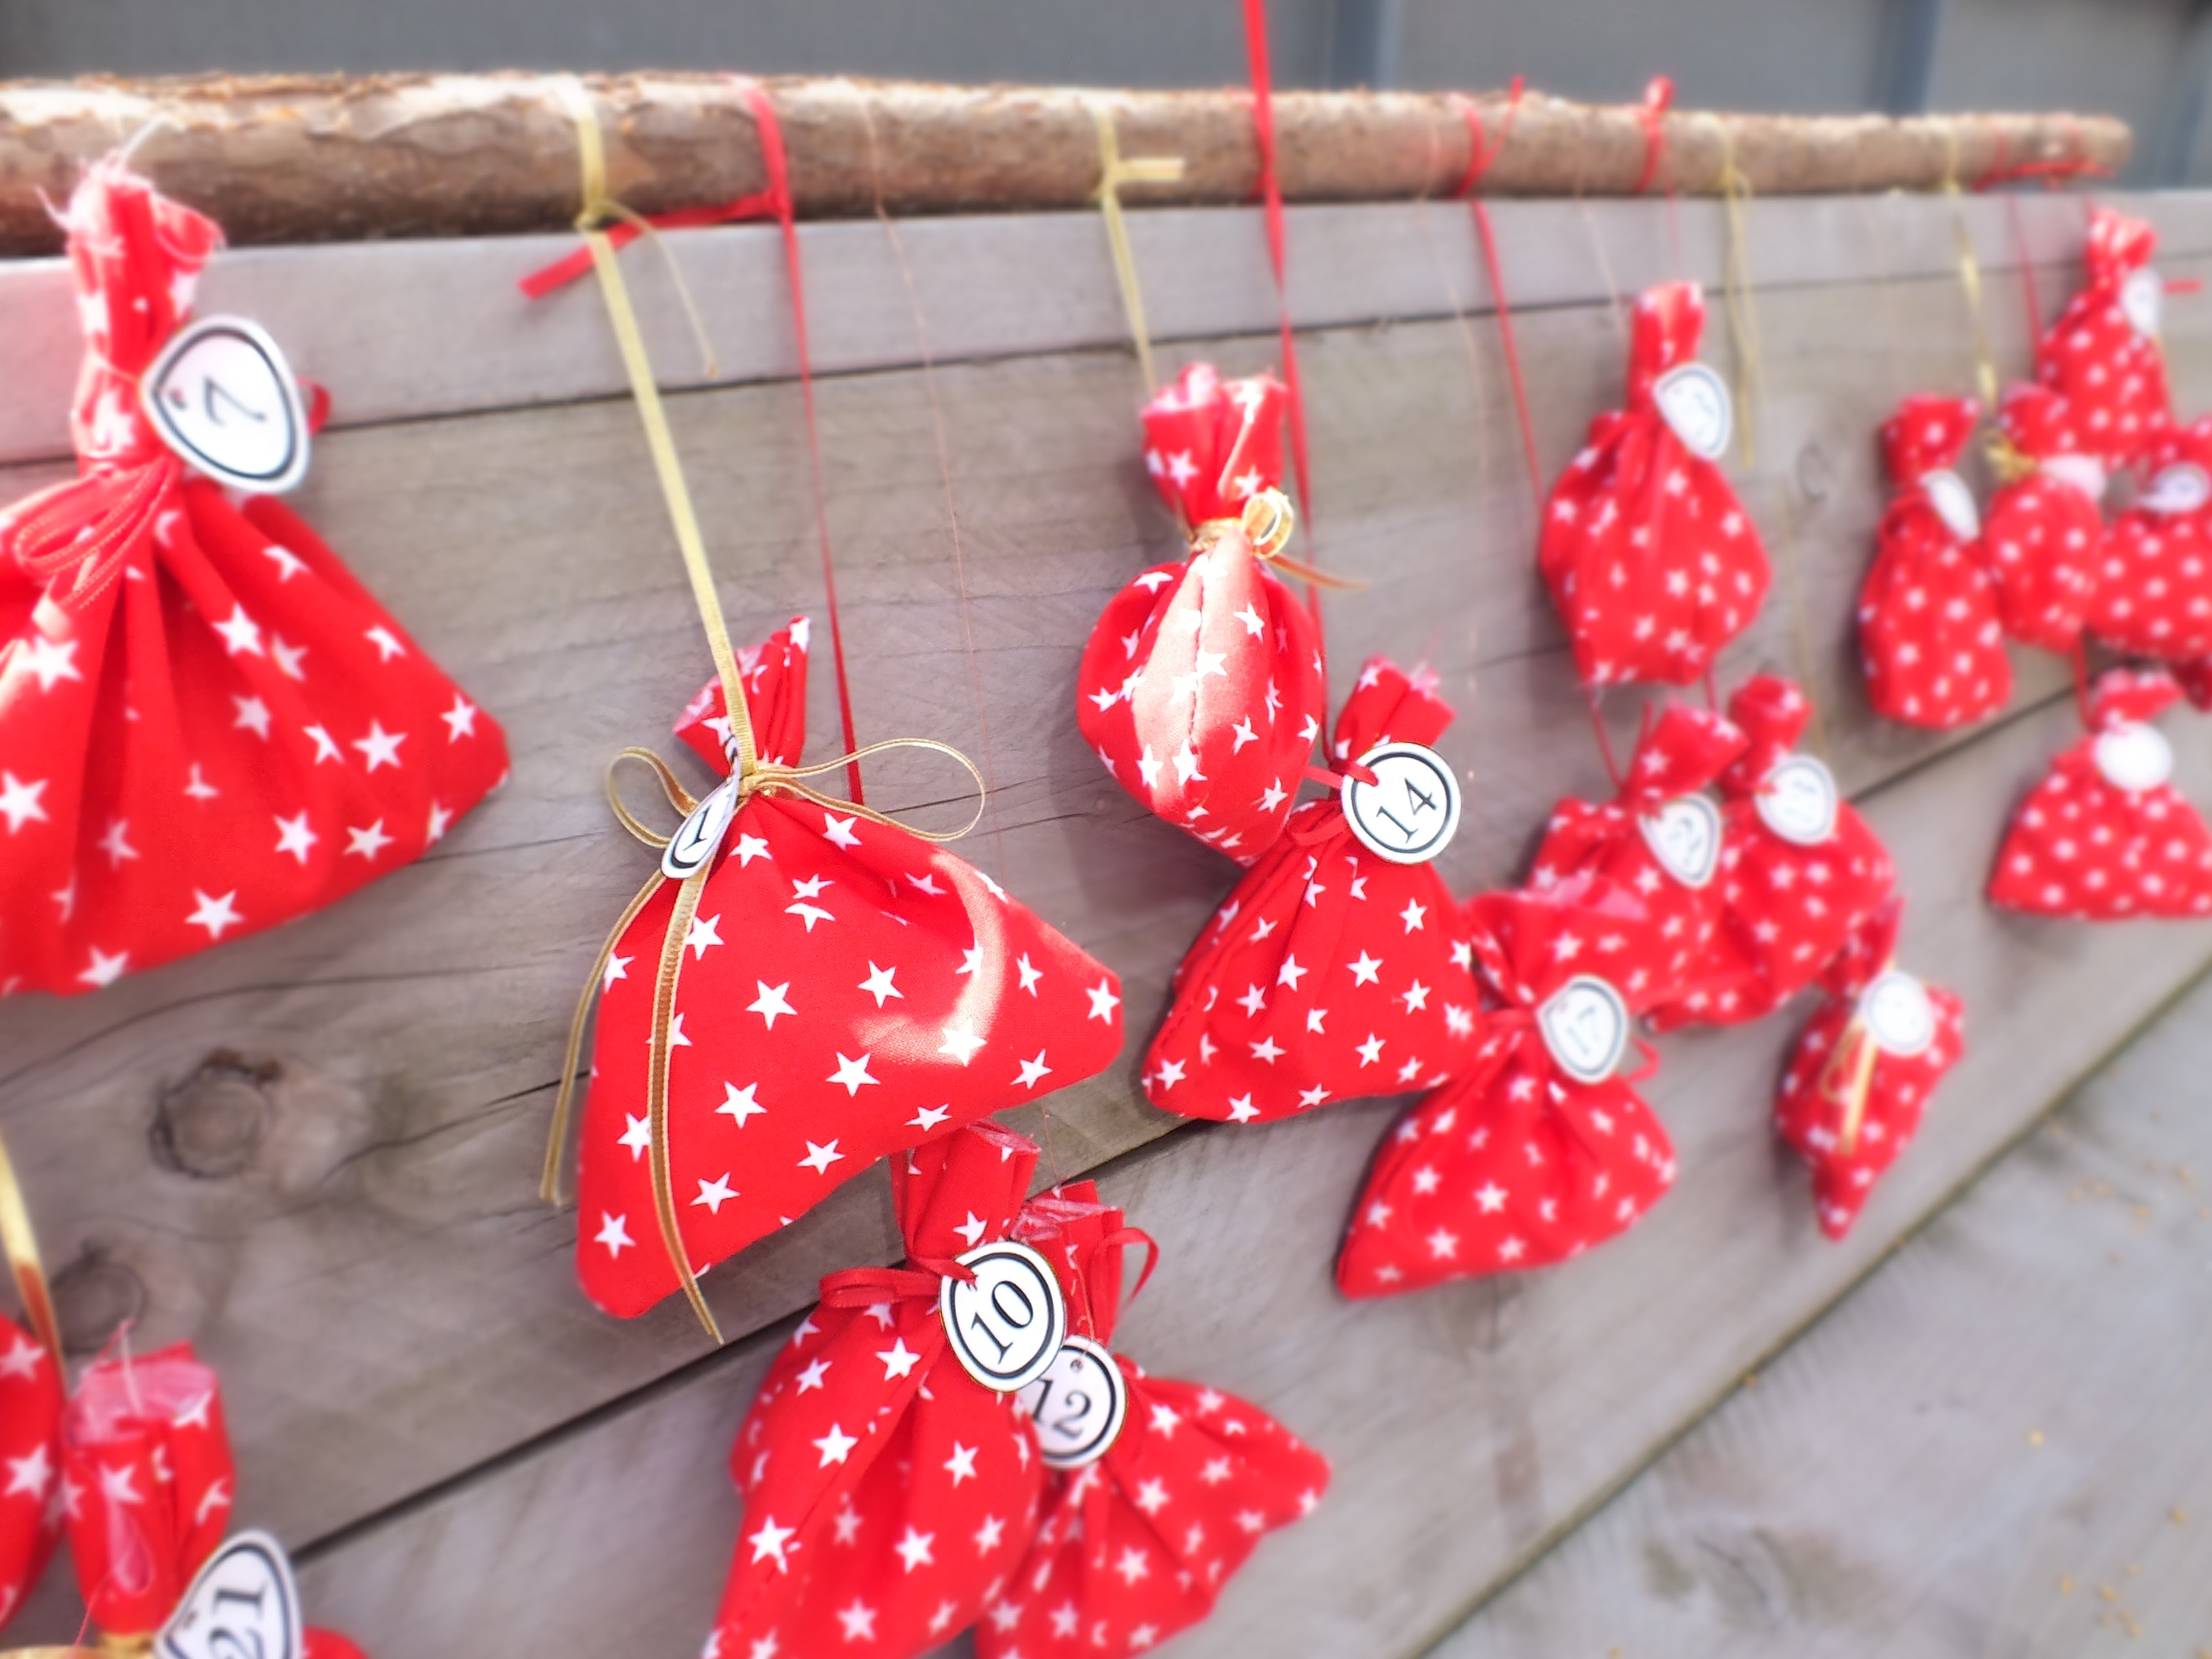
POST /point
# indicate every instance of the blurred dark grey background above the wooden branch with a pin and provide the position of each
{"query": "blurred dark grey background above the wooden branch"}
(2147, 61)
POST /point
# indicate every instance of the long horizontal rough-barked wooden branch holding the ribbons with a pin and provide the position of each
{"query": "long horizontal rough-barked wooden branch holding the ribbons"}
(446, 156)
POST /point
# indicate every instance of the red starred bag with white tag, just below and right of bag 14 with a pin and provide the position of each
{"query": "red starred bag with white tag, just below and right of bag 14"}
(1541, 1151)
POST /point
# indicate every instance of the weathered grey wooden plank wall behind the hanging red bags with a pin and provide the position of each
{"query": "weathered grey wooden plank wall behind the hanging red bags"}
(426, 1408)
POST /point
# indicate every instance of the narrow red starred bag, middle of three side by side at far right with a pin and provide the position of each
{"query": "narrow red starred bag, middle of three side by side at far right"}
(2045, 530)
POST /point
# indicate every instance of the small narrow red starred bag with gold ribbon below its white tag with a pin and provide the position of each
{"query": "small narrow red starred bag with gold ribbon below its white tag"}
(1864, 1070)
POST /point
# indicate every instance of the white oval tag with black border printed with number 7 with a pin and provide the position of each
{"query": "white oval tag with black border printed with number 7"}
(227, 401)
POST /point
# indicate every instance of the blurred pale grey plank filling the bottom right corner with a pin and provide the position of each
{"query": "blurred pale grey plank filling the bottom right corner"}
(1994, 1448)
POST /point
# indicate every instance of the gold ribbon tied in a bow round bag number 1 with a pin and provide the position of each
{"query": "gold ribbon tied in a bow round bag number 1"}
(749, 771)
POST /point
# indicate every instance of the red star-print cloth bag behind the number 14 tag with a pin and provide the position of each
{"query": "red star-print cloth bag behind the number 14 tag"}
(1331, 972)
